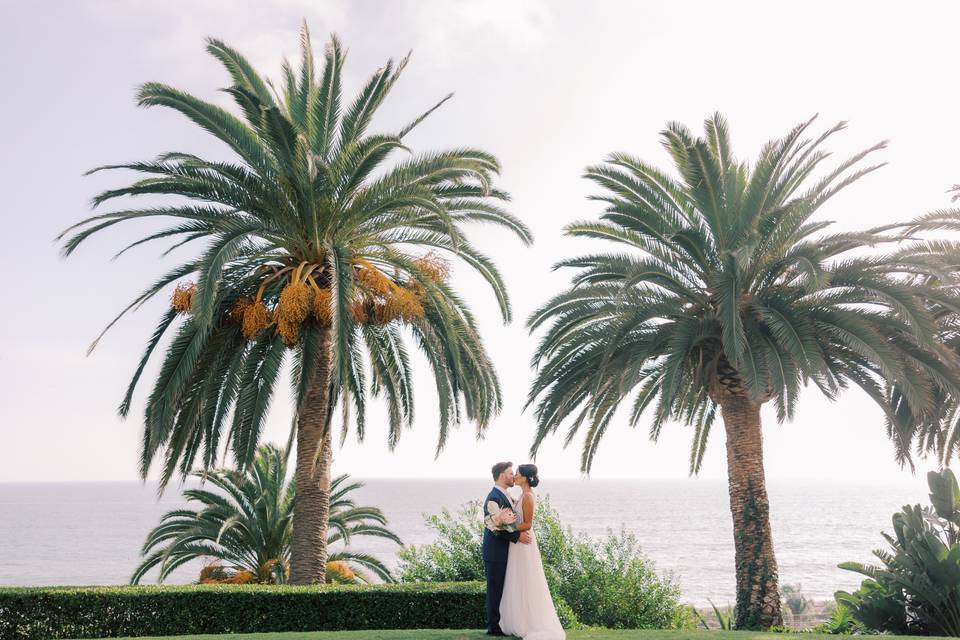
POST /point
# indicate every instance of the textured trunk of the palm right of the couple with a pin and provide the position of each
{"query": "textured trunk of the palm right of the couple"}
(758, 592)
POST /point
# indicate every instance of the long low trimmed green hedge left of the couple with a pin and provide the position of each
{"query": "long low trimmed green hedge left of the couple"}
(55, 613)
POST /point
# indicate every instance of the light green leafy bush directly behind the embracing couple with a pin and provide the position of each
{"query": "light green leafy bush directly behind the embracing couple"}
(607, 583)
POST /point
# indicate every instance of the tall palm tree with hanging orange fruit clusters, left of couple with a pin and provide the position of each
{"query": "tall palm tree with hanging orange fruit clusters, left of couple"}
(318, 244)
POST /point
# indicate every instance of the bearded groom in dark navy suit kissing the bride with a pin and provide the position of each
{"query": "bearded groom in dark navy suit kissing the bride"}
(496, 545)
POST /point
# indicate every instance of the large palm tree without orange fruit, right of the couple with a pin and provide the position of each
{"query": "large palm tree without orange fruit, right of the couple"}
(724, 295)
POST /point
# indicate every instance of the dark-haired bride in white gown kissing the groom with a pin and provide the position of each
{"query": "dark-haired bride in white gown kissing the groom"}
(526, 609)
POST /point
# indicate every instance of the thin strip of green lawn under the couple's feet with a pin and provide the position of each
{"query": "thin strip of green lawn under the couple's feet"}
(440, 634)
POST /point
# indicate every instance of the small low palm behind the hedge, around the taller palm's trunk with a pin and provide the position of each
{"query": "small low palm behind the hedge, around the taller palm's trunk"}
(246, 528)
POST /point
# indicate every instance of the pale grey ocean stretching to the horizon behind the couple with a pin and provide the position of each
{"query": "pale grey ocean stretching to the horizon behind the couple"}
(91, 533)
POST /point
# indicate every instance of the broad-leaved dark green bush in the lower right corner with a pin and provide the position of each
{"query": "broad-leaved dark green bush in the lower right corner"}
(916, 590)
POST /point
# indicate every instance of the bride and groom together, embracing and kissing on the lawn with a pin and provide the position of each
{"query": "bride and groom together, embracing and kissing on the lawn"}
(518, 599)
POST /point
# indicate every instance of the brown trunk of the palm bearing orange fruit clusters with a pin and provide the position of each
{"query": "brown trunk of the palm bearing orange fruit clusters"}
(311, 503)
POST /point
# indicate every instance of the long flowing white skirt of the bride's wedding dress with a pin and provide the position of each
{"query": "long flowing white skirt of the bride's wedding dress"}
(526, 609)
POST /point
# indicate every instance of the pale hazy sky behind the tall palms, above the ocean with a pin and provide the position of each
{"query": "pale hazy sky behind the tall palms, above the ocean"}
(548, 87)
